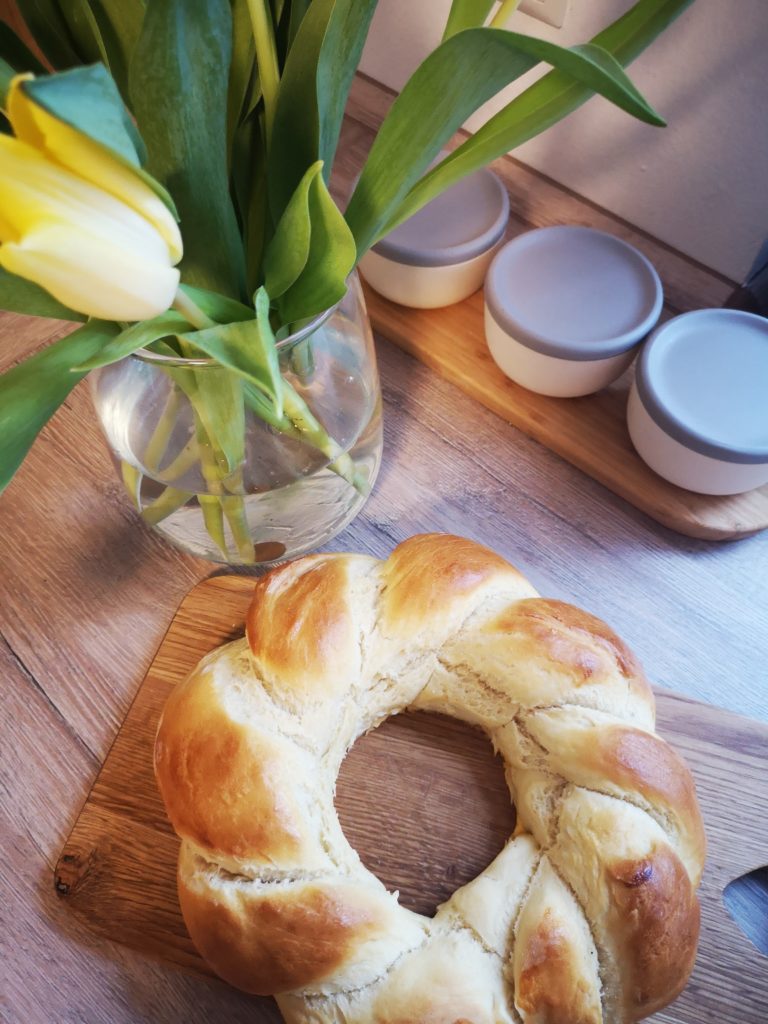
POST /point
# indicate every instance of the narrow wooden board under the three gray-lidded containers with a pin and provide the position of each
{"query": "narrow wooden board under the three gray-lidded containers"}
(590, 433)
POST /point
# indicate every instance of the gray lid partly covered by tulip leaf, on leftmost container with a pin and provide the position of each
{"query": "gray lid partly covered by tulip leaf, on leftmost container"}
(465, 222)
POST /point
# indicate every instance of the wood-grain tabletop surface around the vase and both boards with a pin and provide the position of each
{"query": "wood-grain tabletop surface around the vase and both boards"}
(88, 592)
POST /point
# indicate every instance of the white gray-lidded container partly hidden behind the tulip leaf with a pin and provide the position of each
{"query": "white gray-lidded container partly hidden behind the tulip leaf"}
(441, 255)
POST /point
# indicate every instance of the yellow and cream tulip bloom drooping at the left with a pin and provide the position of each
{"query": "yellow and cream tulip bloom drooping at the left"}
(79, 223)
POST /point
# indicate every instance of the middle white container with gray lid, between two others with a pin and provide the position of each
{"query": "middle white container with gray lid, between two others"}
(567, 309)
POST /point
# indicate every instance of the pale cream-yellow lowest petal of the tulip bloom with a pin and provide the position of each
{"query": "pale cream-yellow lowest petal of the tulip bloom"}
(93, 276)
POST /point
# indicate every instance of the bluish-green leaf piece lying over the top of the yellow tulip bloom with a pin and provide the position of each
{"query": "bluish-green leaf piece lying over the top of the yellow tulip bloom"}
(89, 101)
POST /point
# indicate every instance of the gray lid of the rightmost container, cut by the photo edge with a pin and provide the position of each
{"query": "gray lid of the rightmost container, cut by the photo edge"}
(703, 377)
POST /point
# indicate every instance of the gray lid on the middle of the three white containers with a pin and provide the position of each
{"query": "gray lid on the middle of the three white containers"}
(574, 293)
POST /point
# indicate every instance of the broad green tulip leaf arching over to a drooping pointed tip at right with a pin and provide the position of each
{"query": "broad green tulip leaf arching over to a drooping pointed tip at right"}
(454, 81)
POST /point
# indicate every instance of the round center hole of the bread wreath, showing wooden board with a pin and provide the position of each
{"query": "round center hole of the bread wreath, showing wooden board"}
(423, 800)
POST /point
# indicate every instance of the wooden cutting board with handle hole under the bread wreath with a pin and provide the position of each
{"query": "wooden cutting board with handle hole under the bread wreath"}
(424, 802)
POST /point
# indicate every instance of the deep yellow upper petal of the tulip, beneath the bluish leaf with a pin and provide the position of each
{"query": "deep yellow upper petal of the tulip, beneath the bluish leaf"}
(90, 161)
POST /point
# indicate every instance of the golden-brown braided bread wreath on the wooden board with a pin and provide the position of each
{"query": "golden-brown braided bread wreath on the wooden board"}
(588, 915)
